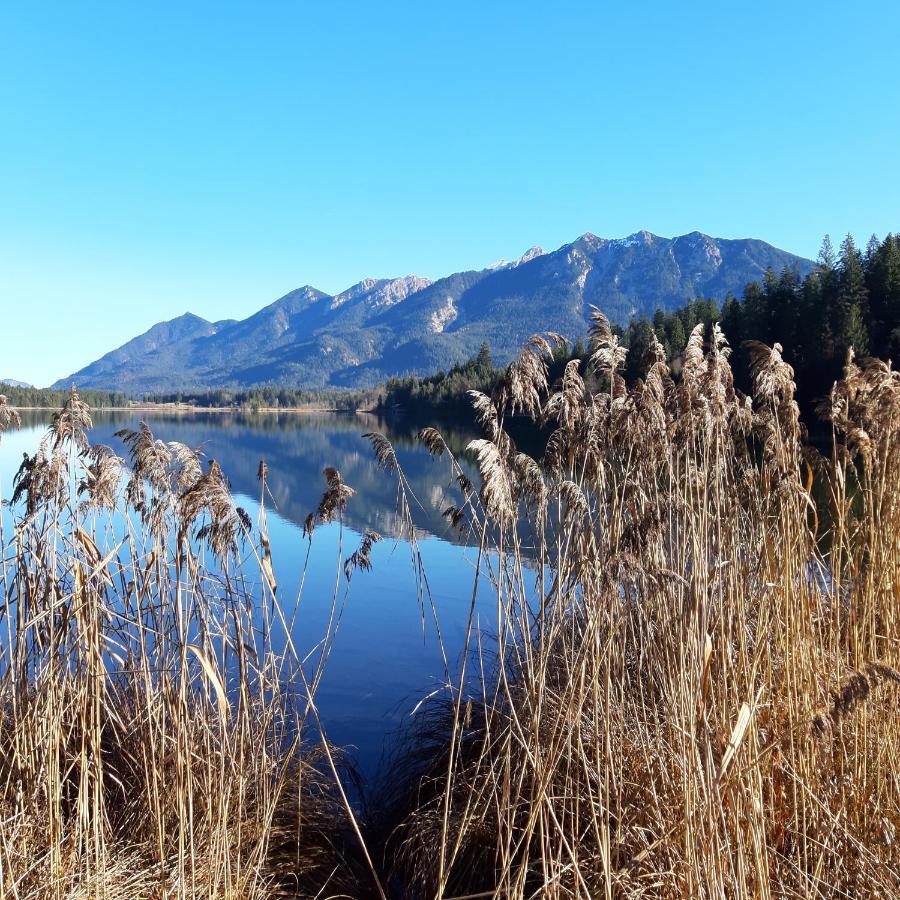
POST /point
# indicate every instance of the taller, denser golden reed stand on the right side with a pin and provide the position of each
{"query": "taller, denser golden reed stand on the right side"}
(696, 695)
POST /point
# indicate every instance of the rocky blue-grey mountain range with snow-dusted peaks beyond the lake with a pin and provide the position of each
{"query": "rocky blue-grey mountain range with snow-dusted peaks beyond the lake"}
(383, 327)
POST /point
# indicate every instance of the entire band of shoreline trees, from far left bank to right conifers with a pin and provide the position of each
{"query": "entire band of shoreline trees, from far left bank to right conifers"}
(851, 299)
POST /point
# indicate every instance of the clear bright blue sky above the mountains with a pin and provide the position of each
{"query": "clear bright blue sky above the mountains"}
(163, 157)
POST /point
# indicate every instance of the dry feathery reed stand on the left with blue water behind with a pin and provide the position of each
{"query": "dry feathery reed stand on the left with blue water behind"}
(148, 745)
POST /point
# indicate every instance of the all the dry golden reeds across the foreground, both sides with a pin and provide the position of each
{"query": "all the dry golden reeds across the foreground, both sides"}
(699, 699)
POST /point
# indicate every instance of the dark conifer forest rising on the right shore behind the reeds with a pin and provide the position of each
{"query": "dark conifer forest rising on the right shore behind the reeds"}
(852, 299)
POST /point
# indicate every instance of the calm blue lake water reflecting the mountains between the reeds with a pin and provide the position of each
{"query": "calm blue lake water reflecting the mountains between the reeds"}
(382, 662)
